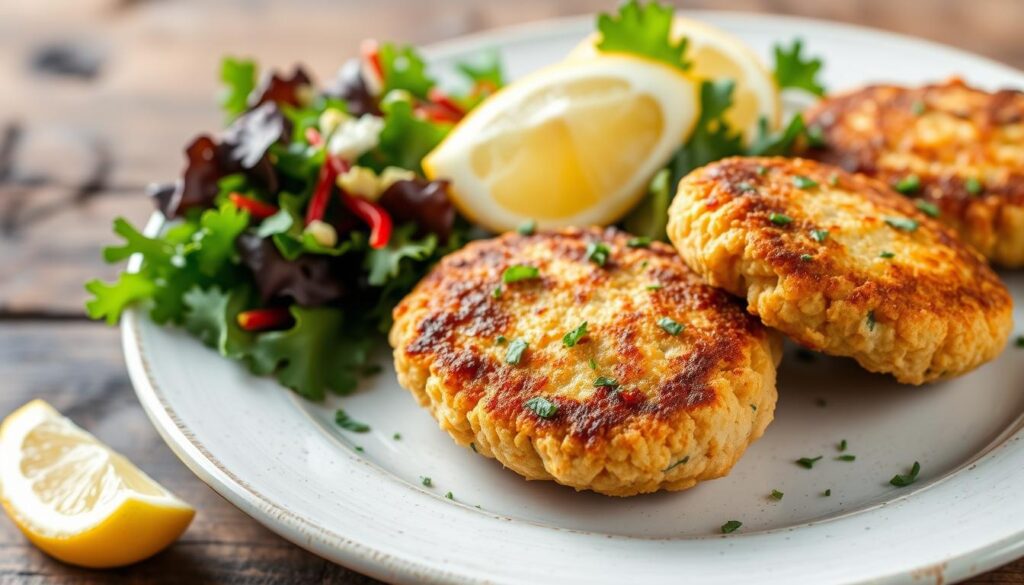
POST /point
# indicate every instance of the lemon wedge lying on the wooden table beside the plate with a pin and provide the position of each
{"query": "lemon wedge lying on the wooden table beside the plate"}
(78, 500)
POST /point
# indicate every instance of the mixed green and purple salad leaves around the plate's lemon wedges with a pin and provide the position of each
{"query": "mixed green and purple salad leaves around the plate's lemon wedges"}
(293, 234)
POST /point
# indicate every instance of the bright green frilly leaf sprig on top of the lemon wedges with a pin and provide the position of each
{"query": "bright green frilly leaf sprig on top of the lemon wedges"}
(645, 30)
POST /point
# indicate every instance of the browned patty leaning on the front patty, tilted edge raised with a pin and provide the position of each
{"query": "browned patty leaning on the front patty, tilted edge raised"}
(843, 265)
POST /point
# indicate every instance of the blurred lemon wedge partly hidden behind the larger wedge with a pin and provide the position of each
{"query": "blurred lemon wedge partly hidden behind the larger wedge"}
(716, 55)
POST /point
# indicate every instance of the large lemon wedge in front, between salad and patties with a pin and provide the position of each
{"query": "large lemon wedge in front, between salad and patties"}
(572, 145)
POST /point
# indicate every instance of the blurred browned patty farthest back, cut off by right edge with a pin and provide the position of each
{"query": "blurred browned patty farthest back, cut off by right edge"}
(959, 149)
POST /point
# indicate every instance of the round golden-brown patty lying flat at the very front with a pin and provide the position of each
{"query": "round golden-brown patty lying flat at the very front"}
(666, 386)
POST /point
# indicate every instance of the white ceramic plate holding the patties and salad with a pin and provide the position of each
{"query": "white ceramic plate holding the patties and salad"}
(283, 462)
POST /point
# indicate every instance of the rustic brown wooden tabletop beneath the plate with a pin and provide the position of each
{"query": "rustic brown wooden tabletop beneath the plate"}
(129, 82)
